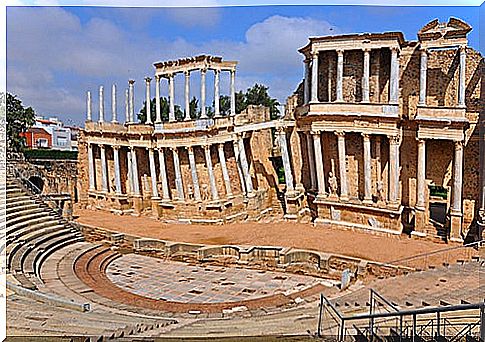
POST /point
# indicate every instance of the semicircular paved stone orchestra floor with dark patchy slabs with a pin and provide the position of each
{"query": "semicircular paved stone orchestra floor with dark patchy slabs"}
(179, 282)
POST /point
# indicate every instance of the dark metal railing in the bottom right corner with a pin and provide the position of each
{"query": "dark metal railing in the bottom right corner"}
(454, 322)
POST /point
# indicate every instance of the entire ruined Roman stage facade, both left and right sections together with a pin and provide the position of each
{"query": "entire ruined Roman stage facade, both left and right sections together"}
(383, 134)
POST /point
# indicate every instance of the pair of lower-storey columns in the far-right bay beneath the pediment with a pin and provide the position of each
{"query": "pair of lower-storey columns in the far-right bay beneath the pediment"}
(456, 204)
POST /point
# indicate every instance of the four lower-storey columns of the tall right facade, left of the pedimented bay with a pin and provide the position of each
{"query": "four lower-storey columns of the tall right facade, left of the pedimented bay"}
(317, 174)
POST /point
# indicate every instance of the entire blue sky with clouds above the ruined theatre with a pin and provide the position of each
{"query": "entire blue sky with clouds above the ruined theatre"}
(55, 54)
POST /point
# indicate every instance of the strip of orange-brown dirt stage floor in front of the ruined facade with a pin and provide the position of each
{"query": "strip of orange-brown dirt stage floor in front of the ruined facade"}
(322, 238)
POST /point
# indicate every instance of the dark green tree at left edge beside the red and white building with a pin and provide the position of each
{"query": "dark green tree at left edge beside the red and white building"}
(19, 119)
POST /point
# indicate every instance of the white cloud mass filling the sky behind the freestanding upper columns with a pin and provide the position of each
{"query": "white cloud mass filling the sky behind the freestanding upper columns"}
(53, 57)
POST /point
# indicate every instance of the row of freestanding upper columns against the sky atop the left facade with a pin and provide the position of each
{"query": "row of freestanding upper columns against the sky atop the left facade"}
(129, 98)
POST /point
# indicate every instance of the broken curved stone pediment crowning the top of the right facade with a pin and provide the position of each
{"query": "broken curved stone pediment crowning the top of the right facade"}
(436, 34)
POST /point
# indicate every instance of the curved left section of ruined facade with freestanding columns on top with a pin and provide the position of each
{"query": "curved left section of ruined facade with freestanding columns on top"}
(207, 169)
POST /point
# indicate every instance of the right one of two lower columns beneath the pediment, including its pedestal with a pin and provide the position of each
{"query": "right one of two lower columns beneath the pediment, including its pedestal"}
(456, 212)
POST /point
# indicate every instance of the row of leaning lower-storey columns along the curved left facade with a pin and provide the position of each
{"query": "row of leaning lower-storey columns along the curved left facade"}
(134, 188)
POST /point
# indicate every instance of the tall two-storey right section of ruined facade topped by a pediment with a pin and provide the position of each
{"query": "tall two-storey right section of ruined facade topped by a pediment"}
(389, 131)
